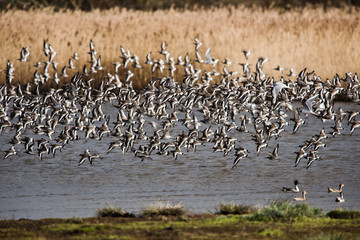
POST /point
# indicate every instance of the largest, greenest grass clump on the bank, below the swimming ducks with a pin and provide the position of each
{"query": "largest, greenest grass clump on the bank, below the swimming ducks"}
(284, 211)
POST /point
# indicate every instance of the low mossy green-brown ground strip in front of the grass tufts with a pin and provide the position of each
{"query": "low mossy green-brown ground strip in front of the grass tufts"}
(204, 226)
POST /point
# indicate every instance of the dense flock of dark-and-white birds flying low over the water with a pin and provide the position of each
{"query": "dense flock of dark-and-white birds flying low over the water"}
(212, 104)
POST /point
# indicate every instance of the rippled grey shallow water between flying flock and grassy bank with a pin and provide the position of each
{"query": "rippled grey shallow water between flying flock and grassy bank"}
(57, 187)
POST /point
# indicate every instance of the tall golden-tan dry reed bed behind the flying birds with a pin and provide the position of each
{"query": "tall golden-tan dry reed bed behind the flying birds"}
(327, 42)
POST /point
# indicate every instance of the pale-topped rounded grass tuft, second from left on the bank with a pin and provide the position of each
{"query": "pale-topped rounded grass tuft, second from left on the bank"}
(164, 209)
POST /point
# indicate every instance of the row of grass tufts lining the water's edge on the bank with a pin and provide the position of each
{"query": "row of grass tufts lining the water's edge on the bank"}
(277, 211)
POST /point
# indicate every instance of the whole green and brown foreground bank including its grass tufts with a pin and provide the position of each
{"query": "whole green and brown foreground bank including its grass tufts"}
(299, 219)
